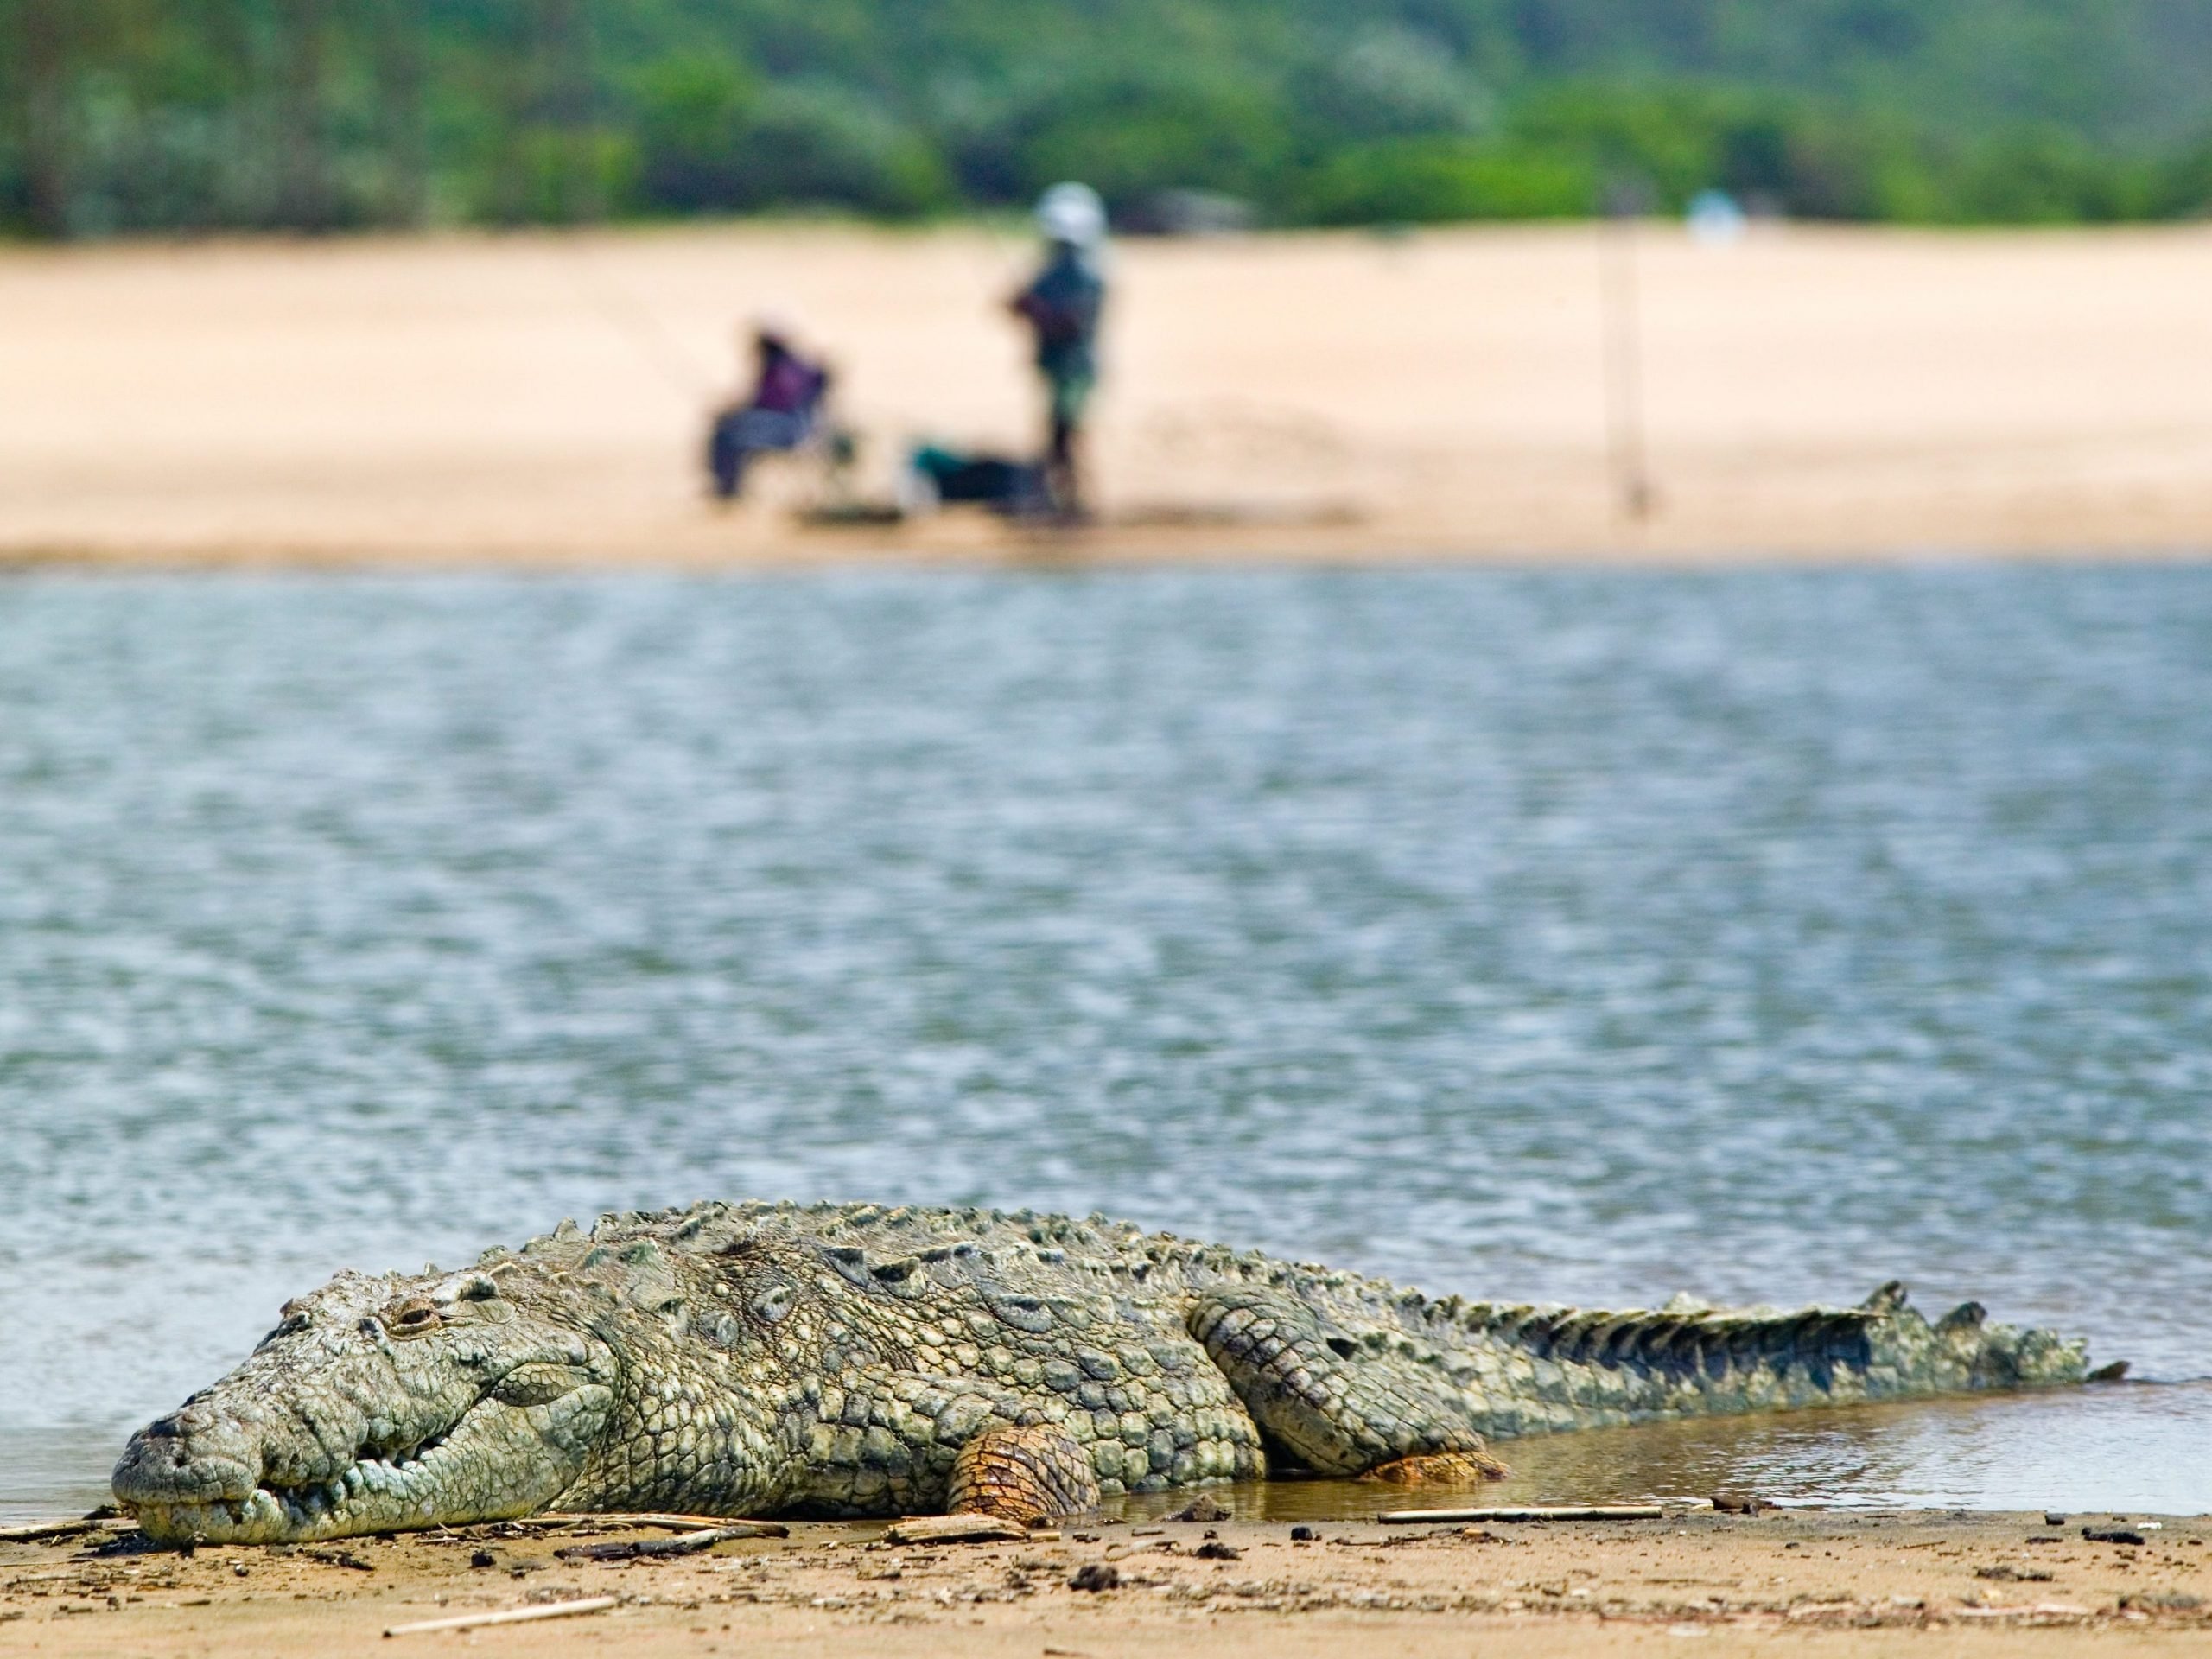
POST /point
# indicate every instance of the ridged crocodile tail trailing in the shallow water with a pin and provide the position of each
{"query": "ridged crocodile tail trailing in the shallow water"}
(1545, 1368)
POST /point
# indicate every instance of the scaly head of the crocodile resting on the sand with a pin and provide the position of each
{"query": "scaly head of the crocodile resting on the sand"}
(382, 1404)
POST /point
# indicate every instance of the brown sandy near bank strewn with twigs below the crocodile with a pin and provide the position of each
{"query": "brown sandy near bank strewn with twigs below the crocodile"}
(1815, 1583)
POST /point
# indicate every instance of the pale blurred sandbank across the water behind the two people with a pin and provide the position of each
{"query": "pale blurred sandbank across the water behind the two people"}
(536, 399)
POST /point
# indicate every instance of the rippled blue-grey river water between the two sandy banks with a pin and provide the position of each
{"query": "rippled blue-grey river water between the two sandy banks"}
(1550, 937)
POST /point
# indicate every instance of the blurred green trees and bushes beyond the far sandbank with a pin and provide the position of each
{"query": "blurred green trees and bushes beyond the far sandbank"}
(326, 114)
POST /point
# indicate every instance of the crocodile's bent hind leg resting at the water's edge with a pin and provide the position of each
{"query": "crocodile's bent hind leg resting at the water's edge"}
(1333, 1401)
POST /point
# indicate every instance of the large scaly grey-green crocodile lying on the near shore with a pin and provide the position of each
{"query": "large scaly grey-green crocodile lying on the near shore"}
(846, 1361)
